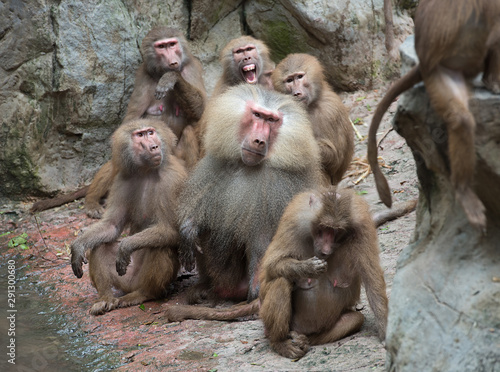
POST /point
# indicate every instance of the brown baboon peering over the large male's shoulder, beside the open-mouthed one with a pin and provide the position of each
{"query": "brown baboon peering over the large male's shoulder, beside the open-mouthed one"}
(301, 75)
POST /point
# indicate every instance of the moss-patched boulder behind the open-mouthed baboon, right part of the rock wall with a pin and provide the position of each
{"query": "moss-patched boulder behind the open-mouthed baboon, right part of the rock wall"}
(346, 36)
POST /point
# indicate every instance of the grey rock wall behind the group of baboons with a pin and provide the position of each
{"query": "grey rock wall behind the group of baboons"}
(67, 68)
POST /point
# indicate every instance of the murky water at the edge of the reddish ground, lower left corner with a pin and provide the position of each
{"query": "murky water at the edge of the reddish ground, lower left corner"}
(39, 337)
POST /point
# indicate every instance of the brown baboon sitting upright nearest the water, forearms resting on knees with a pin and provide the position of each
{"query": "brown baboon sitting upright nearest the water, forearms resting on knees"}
(143, 198)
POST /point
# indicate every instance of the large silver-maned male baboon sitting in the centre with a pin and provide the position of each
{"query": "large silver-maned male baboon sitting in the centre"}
(260, 152)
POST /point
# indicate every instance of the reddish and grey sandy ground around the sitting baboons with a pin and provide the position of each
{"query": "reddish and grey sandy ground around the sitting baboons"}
(139, 337)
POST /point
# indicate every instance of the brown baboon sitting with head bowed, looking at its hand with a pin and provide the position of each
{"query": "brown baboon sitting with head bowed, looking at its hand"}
(324, 249)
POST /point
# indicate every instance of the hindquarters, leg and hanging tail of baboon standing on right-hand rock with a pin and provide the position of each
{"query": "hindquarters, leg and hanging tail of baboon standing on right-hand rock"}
(455, 40)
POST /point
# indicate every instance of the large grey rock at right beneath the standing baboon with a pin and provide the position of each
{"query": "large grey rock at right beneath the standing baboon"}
(444, 308)
